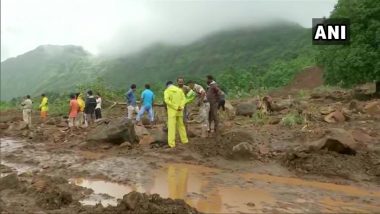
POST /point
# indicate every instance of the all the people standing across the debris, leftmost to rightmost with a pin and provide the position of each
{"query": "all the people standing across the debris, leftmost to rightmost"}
(177, 97)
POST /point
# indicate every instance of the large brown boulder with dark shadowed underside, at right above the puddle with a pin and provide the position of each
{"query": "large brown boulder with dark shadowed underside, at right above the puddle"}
(338, 140)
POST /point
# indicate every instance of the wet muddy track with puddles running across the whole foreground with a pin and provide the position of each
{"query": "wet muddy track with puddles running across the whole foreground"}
(208, 189)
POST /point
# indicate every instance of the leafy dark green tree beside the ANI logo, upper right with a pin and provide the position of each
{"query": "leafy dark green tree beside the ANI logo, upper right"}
(358, 62)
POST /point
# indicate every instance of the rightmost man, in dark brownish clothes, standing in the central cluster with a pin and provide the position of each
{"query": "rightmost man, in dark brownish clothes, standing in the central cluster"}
(213, 97)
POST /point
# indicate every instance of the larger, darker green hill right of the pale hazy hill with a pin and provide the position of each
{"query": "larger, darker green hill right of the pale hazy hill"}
(240, 48)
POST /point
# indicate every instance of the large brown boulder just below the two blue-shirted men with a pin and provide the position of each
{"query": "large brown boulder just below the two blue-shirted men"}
(117, 132)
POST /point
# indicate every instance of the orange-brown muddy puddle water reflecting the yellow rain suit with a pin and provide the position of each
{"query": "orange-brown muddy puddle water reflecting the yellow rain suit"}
(214, 191)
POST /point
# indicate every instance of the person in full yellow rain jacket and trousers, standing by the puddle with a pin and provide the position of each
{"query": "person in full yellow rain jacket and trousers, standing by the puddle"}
(175, 101)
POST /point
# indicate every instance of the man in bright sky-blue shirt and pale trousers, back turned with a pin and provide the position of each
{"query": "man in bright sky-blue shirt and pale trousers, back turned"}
(147, 100)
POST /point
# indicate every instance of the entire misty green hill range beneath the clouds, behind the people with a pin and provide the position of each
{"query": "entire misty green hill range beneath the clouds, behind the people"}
(59, 68)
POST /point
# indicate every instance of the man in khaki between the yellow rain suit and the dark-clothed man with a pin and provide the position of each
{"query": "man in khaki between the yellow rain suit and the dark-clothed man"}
(203, 104)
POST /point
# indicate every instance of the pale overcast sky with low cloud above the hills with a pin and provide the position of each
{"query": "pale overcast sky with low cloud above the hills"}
(120, 26)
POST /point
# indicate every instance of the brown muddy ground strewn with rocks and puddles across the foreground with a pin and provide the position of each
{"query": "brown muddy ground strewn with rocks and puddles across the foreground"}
(258, 164)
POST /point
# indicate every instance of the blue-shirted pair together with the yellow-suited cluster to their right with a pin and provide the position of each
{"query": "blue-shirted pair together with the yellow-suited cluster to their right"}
(176, 99)
